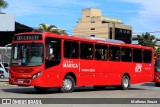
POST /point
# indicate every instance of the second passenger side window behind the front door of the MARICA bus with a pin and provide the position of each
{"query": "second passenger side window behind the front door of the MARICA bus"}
(86, 51)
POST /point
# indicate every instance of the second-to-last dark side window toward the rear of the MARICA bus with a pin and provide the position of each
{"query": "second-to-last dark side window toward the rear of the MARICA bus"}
(137, 55)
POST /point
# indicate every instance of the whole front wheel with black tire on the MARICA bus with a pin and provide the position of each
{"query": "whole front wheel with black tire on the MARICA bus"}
(68, 84)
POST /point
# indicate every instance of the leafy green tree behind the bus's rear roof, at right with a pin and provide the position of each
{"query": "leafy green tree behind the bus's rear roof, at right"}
(147, 40)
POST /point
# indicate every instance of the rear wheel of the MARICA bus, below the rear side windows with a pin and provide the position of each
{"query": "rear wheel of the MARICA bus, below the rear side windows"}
(125, 83)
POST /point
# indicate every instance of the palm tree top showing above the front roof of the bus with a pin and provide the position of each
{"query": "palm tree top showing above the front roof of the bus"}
(50, 28)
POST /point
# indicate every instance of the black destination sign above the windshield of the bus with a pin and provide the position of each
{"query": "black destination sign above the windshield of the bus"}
(28, 37)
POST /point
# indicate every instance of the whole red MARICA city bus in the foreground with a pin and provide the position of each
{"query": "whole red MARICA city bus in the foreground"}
(46, 60)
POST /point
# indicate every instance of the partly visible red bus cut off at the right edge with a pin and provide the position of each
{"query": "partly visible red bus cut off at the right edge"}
(157, 71)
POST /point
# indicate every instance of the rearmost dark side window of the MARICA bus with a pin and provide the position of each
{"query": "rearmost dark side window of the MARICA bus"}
(147, 56)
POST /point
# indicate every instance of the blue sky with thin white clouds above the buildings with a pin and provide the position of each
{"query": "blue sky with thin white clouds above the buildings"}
(142, 15)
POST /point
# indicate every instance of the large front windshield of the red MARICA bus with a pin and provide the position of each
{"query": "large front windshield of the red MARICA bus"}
(29, 54)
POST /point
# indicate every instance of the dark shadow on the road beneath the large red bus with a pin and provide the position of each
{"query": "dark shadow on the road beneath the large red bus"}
(55, 90)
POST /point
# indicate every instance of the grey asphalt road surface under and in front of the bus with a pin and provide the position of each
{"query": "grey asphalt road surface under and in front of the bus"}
(146, 90)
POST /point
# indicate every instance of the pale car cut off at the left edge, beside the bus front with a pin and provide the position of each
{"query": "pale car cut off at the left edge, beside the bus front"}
(4, 69)
